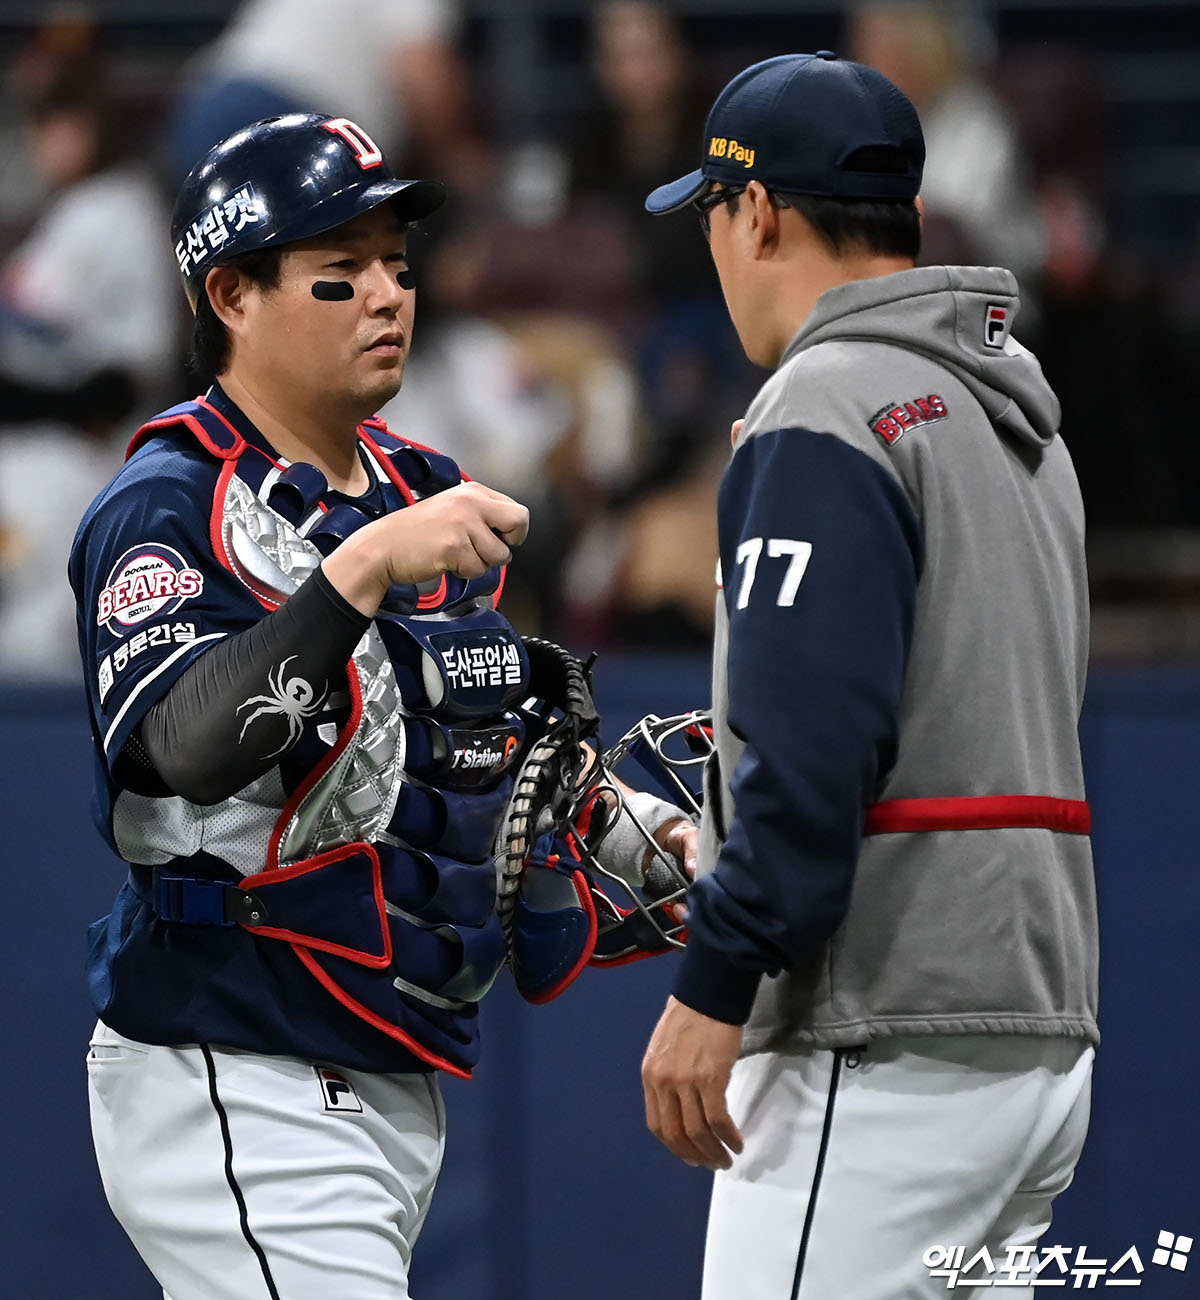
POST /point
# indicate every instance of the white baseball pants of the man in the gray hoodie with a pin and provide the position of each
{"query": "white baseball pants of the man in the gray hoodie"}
(857, 1164)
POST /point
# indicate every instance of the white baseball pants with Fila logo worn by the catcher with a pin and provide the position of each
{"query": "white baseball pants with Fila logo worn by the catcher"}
(244, 1177)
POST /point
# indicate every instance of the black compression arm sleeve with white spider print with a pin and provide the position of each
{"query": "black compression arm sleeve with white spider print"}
(210, 736)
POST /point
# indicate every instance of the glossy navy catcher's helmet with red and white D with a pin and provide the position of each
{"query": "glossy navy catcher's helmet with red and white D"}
(283, 180)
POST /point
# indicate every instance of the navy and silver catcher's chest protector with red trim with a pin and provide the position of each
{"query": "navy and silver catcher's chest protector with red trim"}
(378, 872)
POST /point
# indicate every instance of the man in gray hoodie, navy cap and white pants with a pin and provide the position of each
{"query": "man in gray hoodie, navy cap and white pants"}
(883, 1028)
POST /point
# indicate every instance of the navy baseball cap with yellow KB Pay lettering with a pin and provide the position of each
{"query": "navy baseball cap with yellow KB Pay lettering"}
(795, 123)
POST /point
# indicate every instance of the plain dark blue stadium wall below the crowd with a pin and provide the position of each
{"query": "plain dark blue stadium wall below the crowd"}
(552, 1186)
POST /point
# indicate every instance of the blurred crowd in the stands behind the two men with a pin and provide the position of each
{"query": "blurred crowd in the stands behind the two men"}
(570, 350)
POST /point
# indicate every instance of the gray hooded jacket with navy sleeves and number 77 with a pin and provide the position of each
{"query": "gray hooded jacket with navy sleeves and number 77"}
(968, 686)
